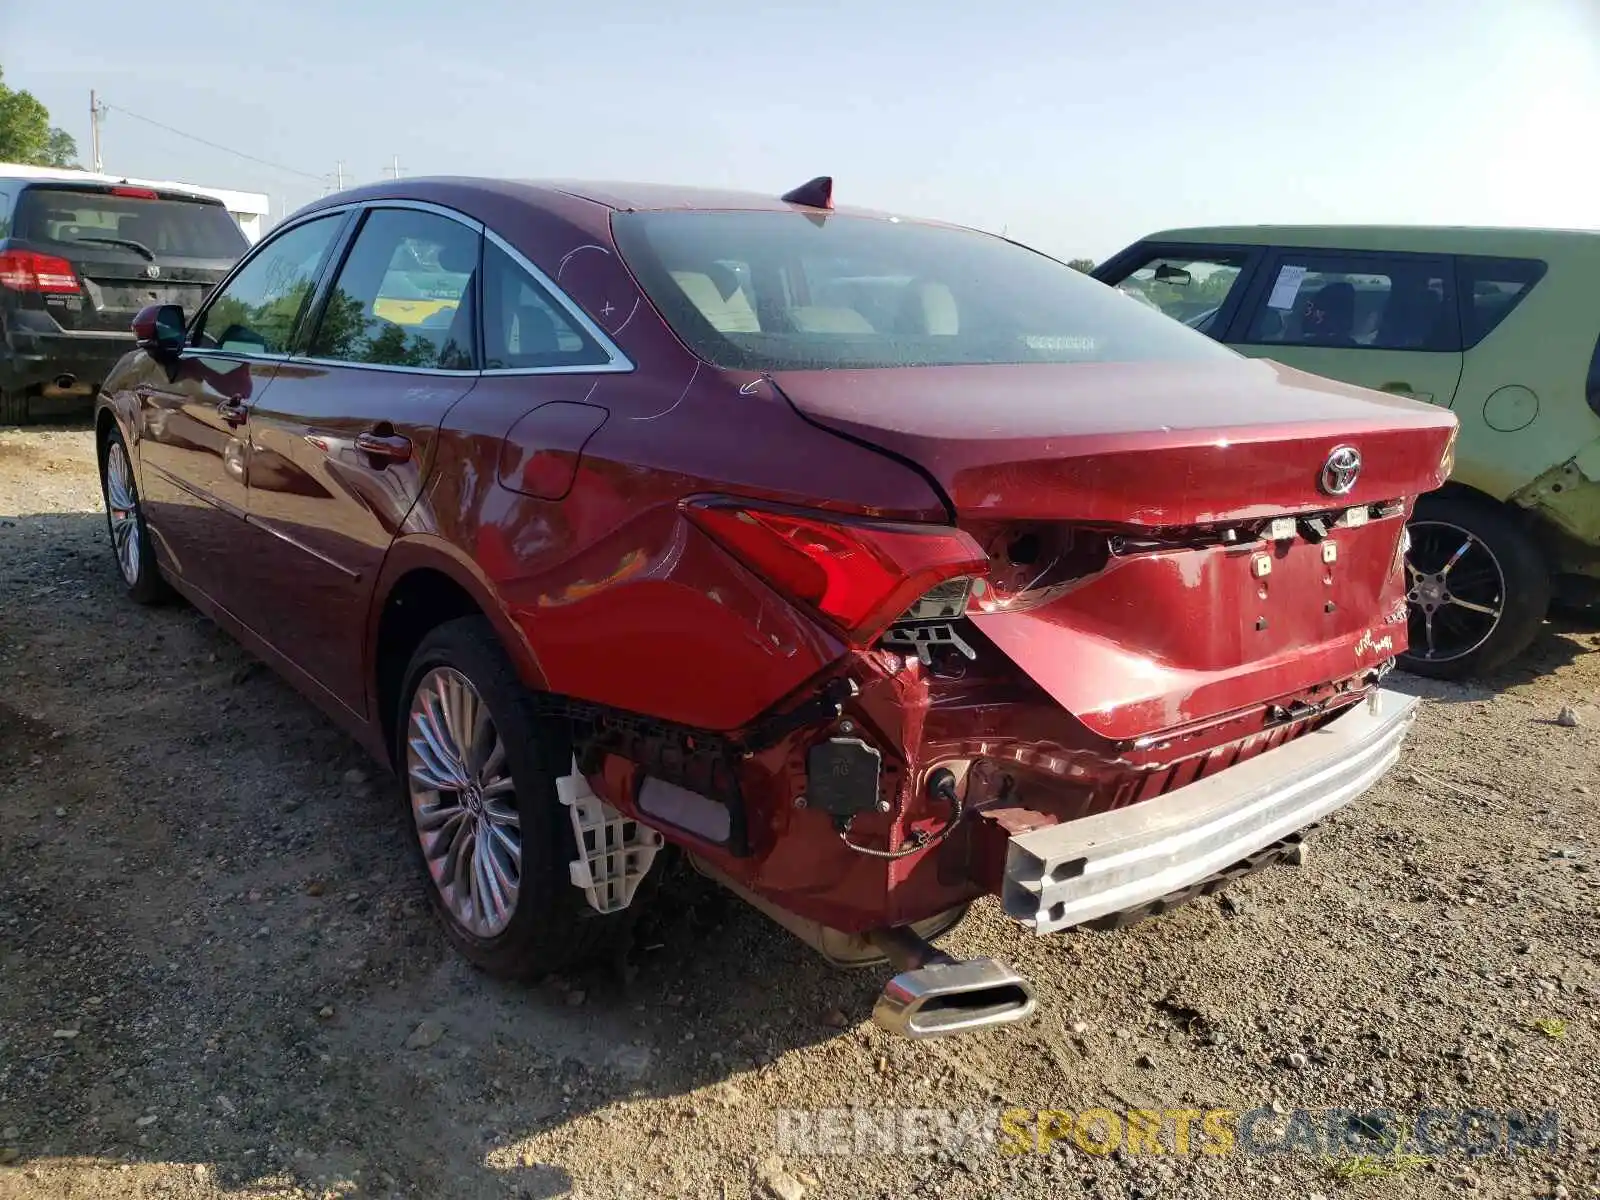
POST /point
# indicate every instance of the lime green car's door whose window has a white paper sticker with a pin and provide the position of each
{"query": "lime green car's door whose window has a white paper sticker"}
(1385, 321)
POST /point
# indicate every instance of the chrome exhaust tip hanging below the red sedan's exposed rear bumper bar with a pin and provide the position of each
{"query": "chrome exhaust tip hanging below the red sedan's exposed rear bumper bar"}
(938, 996)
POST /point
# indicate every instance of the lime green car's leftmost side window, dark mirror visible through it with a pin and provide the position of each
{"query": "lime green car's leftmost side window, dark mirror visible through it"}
(1191, 282)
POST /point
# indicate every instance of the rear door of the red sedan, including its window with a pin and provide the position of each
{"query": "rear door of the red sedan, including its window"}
(343, 441)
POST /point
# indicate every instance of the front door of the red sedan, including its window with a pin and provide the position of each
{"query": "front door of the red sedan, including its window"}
(193, 418)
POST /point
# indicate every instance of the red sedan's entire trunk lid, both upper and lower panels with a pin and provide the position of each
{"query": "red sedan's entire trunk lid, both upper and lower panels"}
(1167, 636)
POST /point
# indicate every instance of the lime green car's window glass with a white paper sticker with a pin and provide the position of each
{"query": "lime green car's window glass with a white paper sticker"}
(1377, 303)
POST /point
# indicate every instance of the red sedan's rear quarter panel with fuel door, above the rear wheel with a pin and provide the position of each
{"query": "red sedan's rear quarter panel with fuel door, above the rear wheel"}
(607, 593)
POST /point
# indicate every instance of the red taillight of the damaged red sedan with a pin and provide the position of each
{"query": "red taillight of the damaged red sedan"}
(862, 577)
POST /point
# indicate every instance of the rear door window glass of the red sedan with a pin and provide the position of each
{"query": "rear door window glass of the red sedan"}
(404, 297)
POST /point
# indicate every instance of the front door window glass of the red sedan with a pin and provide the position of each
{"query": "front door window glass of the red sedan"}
(260, 308)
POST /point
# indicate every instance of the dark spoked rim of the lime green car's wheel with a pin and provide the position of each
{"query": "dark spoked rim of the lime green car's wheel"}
(1455, 591)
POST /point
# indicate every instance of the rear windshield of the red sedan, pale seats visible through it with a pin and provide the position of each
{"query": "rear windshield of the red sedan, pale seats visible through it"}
(772, 292)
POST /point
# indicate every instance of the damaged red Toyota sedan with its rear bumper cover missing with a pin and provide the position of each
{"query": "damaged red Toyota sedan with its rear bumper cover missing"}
(874, 564)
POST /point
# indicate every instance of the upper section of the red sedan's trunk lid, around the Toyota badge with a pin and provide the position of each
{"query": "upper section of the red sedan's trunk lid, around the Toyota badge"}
(1130, 444)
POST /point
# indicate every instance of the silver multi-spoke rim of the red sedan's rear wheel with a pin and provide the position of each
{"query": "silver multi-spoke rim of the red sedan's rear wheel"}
(463, 802)
